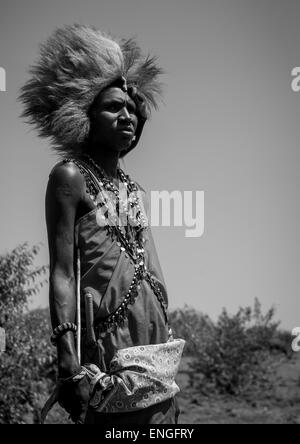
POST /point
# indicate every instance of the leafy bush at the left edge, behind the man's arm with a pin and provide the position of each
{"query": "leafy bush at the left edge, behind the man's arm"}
(28, 355)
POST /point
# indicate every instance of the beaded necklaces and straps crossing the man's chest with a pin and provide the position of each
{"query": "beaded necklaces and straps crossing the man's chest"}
(130, 241)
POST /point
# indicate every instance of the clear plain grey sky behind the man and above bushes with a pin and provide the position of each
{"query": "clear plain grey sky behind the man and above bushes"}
(229, 126)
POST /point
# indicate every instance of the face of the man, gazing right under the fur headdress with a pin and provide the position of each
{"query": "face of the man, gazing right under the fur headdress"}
(113, 120)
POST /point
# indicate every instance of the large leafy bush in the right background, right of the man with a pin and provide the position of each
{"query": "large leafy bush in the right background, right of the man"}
(235, 354)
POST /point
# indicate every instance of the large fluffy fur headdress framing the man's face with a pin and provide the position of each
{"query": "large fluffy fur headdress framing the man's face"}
(76, 63)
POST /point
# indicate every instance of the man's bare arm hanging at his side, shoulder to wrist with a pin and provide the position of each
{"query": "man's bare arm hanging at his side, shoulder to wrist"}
(63, 195)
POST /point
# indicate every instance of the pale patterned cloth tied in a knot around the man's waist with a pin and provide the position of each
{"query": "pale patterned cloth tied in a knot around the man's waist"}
(138, 378)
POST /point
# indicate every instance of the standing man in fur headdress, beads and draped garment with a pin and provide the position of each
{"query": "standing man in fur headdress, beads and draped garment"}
(92, 96)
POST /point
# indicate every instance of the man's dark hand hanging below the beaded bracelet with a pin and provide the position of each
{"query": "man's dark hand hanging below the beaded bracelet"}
(74, 398)
